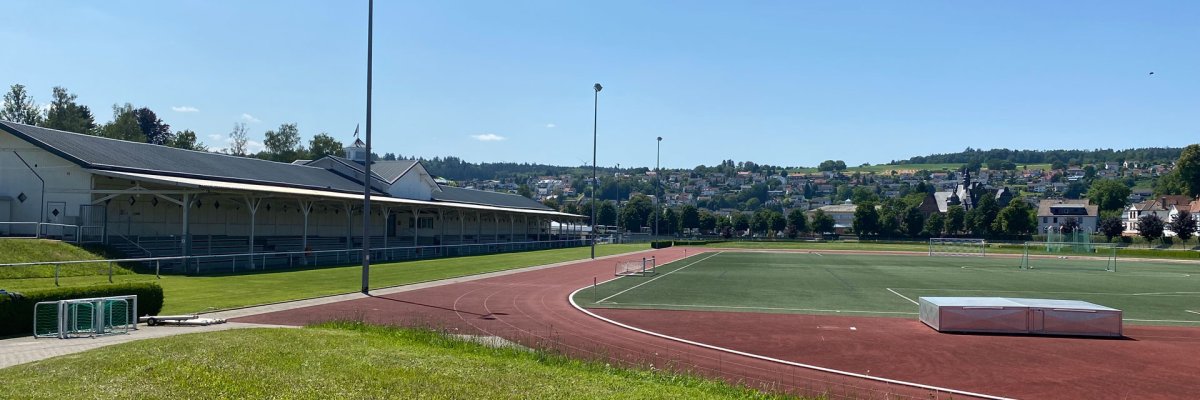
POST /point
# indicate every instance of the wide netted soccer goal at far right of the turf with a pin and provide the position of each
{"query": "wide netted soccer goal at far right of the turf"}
(1070, 255)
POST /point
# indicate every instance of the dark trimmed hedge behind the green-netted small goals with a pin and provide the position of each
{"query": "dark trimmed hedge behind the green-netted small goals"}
(17, 309)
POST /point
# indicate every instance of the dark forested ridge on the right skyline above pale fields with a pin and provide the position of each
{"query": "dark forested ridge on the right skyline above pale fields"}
(1051, 157)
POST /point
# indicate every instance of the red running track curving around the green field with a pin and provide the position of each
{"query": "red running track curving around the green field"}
(533, 309)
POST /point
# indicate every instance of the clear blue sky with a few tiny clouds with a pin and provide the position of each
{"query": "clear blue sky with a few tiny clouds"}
(775, 82)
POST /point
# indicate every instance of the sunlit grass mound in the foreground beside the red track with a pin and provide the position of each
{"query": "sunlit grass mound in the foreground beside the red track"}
(346, 361)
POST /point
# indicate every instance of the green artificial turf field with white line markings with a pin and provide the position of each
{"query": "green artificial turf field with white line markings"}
(886, 285)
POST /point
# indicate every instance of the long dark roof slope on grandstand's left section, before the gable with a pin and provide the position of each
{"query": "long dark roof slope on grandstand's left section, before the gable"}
(98, 153)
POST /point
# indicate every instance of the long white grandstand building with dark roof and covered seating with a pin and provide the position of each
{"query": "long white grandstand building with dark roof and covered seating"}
(182, 202)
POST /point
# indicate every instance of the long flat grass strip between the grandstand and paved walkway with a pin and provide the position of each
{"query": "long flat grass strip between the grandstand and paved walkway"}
(217, 292)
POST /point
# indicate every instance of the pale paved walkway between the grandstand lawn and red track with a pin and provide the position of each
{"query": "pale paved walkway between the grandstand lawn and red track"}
(28, 350)
